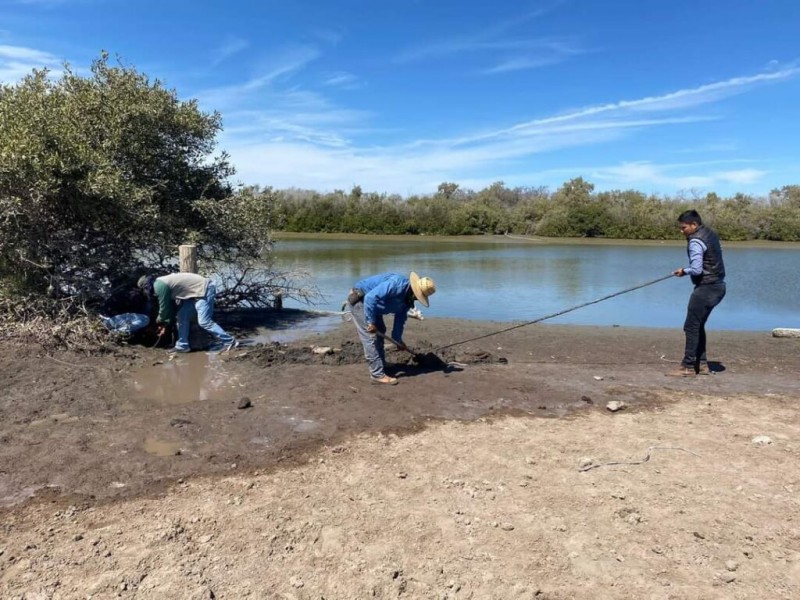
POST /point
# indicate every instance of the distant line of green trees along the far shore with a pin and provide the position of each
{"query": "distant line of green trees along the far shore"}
(573, 210)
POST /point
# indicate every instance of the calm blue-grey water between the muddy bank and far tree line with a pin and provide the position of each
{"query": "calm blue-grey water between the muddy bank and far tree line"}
(510, 280)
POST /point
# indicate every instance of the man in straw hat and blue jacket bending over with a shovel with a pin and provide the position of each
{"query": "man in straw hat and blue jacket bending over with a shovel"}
(378, 295)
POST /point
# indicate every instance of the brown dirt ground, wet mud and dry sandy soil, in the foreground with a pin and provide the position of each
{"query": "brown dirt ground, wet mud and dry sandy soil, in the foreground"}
(501, 475)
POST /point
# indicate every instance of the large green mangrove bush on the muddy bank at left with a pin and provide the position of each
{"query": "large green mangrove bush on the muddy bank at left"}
(101, 178)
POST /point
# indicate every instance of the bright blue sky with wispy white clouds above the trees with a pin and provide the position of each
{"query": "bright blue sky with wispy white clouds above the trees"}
(662, 96)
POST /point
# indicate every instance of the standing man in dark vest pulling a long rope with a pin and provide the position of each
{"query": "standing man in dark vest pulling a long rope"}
(707, 271)
